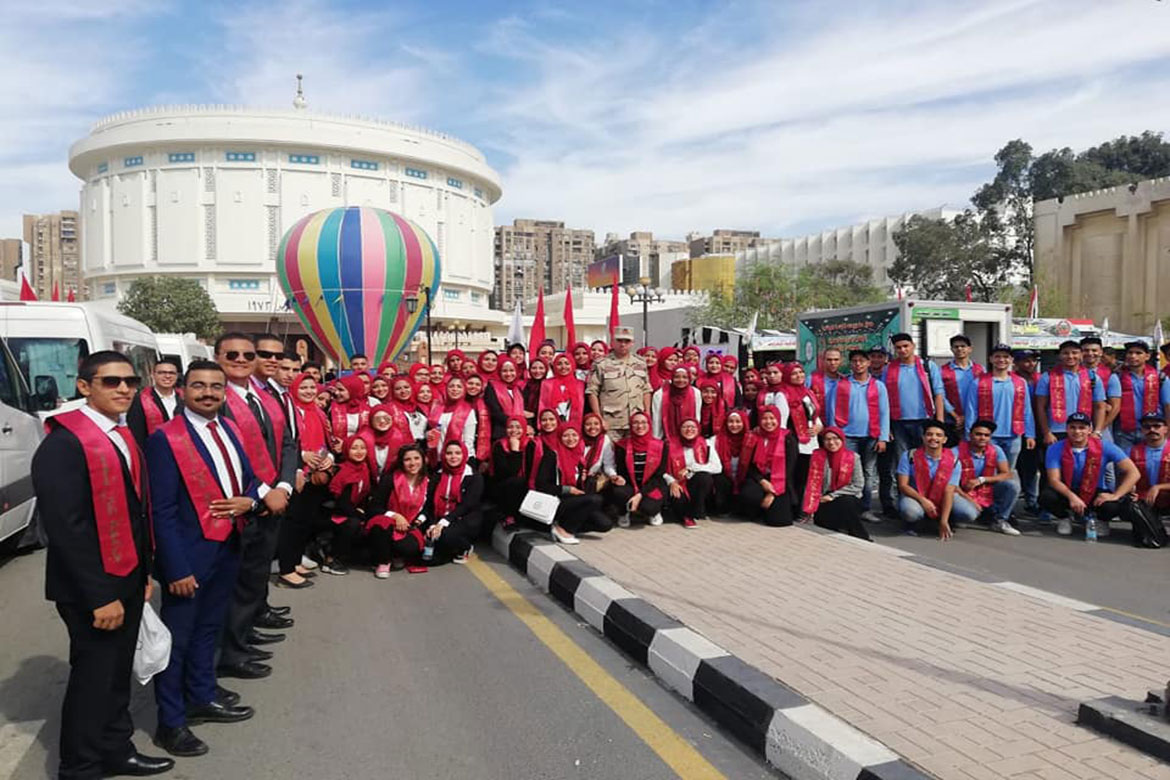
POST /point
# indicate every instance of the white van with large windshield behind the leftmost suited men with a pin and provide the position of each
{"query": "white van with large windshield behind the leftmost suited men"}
(50, 340)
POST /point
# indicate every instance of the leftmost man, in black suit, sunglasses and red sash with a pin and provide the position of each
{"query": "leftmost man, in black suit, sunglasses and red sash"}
(91, 482)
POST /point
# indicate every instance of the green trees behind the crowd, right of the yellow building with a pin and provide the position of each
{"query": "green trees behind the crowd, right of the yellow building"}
(780, 293)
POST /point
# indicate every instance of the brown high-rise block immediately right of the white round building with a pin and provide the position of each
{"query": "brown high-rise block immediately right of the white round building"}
(539, 254)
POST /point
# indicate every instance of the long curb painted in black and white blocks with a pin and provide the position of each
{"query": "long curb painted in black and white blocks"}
(800, 738)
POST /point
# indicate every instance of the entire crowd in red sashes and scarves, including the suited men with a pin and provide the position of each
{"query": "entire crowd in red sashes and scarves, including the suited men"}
(258, 470)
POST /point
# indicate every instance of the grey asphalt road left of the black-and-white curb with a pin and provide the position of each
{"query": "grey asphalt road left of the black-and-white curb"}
(419, 677)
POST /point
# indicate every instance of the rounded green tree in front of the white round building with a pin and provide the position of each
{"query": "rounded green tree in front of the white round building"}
(171, 305)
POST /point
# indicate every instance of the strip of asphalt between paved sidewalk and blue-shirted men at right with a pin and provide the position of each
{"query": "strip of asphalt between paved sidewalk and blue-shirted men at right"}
(1111, 574)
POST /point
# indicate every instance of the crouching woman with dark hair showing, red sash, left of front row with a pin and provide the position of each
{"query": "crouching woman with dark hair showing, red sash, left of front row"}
(398, 514)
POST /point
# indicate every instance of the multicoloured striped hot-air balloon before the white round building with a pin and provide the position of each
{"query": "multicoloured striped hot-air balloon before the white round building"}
(348, 273)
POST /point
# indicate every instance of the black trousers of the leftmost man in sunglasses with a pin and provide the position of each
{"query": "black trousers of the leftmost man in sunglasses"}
(95, 719)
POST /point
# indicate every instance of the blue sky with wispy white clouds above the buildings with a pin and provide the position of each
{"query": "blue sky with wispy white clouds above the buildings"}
(782, 116)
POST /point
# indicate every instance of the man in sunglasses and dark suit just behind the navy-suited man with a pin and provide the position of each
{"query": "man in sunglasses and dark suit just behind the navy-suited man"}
(273, 453)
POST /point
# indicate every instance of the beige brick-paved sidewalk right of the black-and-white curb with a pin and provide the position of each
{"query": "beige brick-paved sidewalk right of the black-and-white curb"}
(965, 679)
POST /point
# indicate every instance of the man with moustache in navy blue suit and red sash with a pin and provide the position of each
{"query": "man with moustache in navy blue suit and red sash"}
(202, 487)
